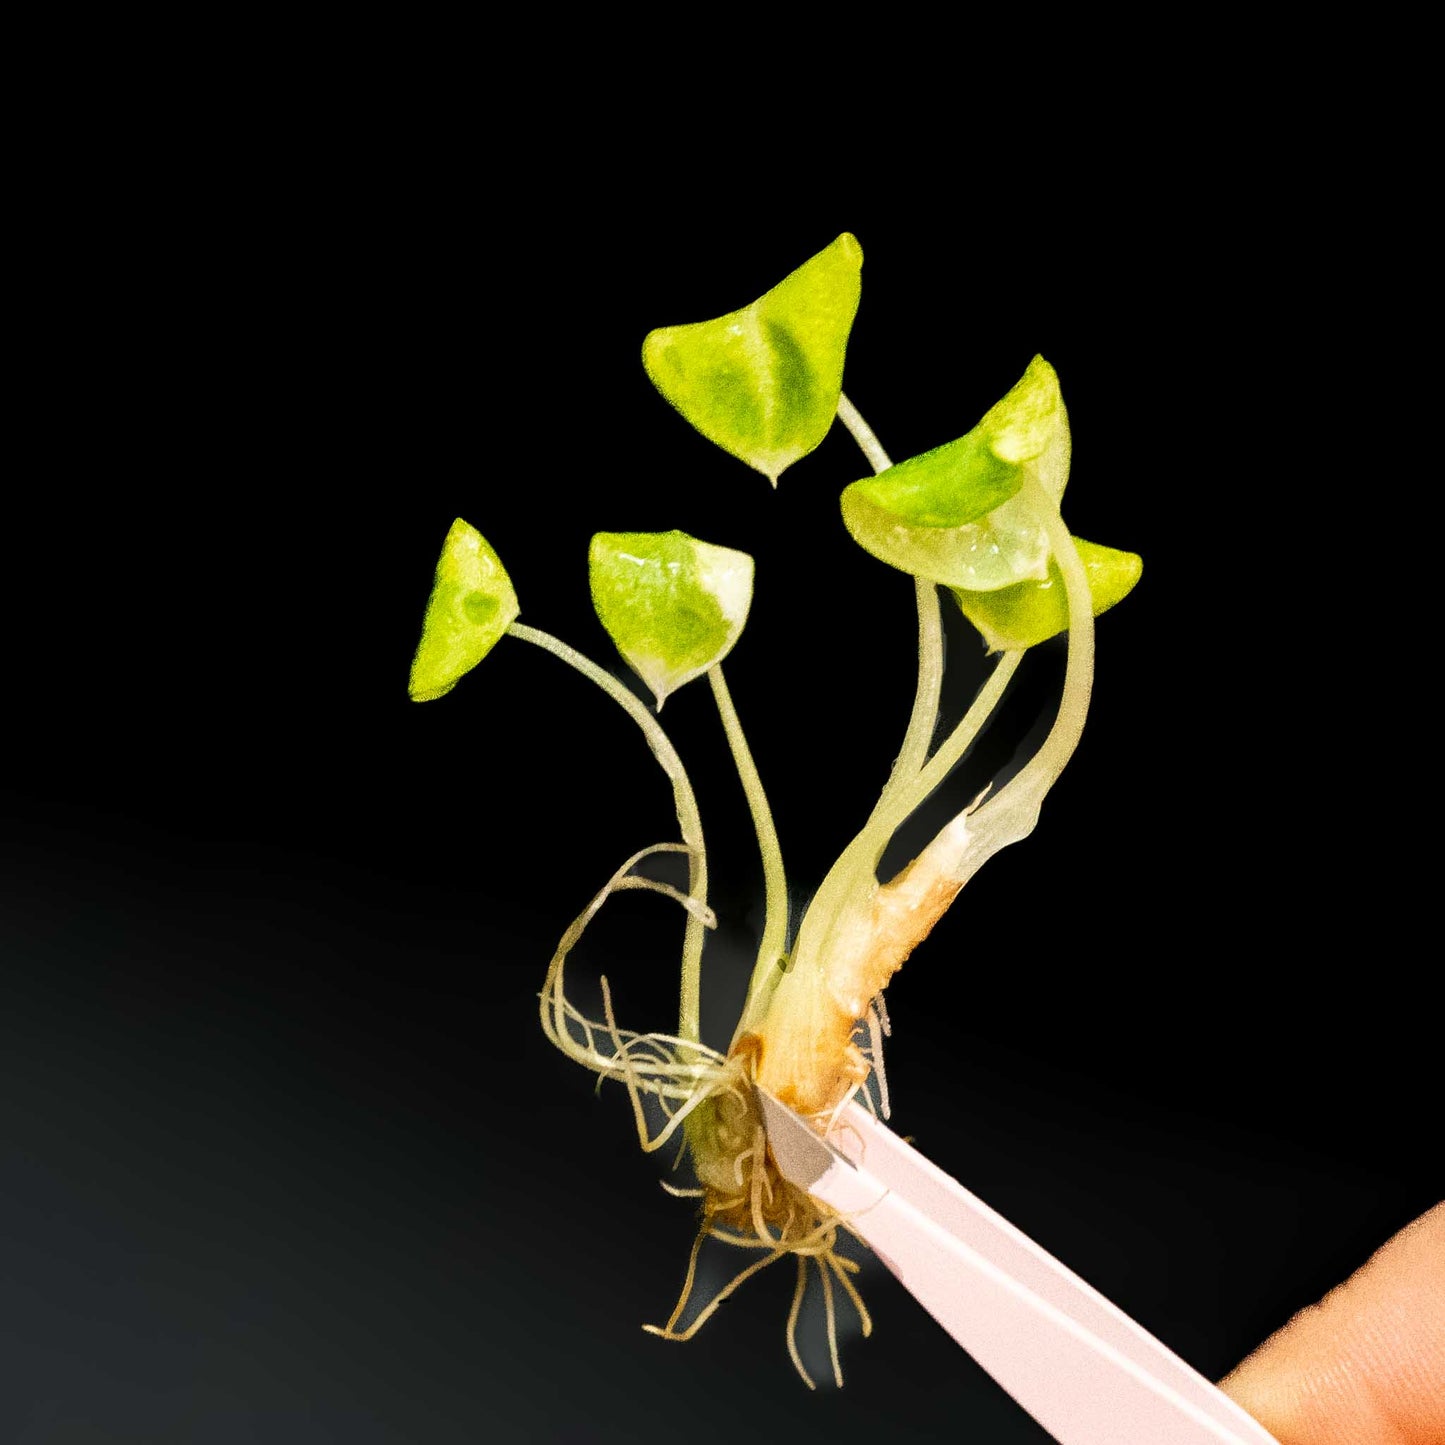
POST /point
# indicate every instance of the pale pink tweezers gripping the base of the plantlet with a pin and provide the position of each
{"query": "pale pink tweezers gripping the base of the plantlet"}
(1077, 1363)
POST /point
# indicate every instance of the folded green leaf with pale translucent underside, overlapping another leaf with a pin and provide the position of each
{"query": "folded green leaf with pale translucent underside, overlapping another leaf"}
(952, 515)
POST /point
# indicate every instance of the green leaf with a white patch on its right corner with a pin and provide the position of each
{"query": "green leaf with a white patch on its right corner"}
(674, 606)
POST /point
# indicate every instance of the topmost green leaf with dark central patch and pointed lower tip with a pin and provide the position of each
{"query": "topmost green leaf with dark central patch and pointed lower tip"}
(764, 382)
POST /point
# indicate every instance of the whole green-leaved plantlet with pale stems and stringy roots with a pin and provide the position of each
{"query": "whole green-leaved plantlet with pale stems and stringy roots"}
(978, 517)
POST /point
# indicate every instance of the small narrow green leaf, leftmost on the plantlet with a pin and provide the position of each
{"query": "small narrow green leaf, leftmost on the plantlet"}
(472, 606)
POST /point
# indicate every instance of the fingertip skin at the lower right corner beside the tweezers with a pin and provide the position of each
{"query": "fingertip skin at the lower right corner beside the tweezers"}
(1366, 1366)
